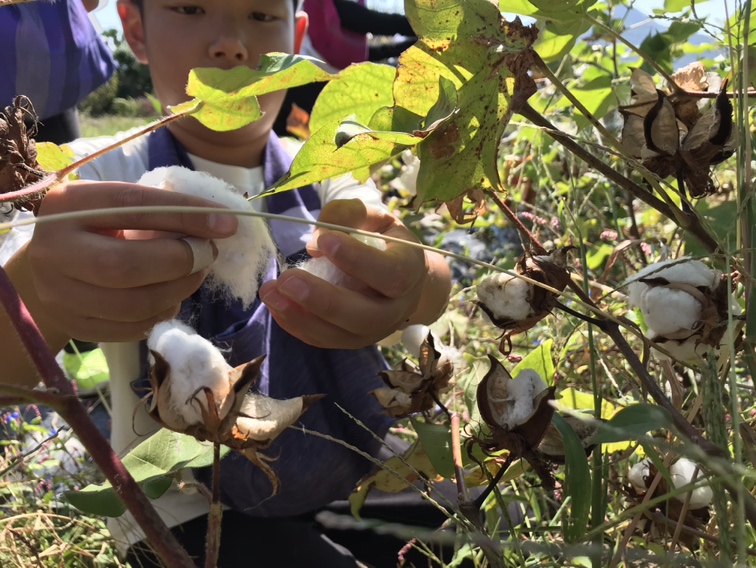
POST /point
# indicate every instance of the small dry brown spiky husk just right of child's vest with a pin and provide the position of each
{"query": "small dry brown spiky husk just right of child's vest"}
(416, 388)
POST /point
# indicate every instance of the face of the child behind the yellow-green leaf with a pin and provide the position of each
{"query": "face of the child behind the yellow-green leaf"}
(175, 36)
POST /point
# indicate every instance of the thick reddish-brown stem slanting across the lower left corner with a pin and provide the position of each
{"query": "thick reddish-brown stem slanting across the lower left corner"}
(74, 413)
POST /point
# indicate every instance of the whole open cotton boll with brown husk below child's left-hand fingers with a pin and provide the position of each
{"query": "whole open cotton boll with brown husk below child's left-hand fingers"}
(196, 392)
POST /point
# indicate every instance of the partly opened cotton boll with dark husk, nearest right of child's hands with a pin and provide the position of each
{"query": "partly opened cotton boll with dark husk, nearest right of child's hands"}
(515, 305)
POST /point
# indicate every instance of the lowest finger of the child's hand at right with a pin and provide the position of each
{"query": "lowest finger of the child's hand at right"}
(346, 309)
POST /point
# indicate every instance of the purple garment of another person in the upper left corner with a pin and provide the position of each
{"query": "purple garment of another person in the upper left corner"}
(50, 52)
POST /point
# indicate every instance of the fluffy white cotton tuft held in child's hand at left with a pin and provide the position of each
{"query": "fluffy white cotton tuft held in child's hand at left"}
(242, 258)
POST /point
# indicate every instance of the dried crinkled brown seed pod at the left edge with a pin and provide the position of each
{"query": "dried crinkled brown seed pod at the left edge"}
(18, 152)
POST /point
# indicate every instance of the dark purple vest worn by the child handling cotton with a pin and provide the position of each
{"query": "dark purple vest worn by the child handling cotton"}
(313, 472)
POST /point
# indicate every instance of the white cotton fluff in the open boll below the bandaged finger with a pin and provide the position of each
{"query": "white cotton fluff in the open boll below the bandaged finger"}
(195, 363)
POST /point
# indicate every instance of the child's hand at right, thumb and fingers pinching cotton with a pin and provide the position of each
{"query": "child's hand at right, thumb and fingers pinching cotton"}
(395, 284)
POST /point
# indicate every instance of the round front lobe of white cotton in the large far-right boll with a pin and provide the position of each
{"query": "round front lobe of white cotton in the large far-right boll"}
(668, 311)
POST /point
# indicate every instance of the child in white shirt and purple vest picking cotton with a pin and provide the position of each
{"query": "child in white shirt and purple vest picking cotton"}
(110, 279)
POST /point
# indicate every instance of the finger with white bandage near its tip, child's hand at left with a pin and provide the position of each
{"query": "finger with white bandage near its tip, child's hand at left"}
(116, 263)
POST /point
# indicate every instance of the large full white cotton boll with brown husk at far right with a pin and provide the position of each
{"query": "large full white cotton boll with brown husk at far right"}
(685, 305)
